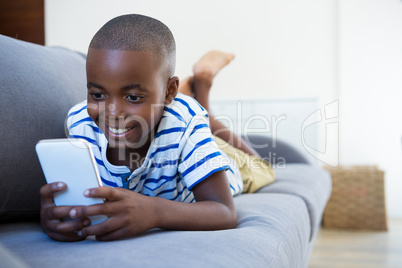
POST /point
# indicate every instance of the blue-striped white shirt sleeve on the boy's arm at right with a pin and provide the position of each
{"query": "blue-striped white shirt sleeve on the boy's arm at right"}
(200, 156)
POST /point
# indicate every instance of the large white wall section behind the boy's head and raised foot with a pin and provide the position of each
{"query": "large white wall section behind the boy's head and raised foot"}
(283, 48)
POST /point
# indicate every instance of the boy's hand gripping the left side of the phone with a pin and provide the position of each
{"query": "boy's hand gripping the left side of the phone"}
(51, 216)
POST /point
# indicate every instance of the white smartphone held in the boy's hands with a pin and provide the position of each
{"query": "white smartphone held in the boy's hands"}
(71, 161)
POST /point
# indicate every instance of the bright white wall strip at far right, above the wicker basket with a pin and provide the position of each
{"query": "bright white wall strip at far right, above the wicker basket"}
(371, 90)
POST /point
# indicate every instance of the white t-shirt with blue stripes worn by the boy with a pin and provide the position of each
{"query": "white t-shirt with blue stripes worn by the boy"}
(182, 153)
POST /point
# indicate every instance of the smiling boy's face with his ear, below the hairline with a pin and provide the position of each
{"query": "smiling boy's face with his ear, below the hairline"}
(127, 92)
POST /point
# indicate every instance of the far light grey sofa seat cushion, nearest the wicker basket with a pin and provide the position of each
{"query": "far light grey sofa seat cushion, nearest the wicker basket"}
(311, 183)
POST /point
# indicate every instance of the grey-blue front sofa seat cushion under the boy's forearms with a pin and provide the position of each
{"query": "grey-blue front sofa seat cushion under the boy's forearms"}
(273, 231)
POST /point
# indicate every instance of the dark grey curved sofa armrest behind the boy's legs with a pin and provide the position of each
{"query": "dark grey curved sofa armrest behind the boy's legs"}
(275, 149)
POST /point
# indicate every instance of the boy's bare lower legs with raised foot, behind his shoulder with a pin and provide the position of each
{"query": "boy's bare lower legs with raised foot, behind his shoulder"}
(200, 84)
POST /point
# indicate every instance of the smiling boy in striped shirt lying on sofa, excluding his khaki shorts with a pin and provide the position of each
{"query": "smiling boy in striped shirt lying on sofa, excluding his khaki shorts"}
(153, 145)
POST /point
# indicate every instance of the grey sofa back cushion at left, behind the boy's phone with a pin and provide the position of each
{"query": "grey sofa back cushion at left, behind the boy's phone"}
(37, 87)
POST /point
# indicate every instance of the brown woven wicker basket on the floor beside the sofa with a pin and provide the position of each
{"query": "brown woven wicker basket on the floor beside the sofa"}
(357, 200)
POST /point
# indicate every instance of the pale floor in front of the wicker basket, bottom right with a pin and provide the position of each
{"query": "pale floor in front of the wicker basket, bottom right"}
(358, 249)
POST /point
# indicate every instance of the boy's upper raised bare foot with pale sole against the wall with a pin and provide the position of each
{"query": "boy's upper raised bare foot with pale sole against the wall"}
(211, 63)
